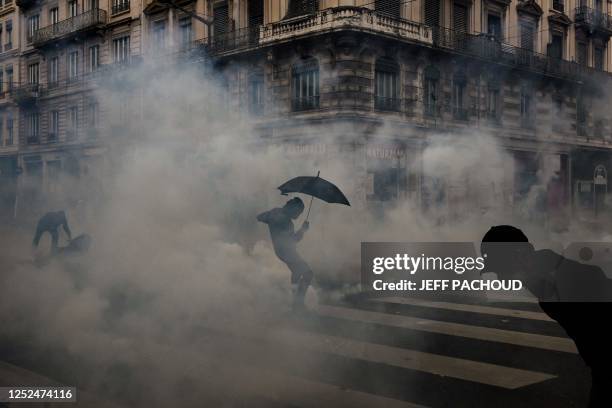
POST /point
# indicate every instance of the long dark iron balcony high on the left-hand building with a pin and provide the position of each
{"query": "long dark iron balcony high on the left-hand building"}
(89, 20)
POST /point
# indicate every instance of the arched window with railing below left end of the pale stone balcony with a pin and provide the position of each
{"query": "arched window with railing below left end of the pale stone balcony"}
(305, 85)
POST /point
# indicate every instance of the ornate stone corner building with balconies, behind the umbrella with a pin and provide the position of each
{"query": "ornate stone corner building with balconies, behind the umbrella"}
(383, 77)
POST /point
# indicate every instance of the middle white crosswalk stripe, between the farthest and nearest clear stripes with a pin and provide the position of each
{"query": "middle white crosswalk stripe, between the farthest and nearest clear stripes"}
(453, 329)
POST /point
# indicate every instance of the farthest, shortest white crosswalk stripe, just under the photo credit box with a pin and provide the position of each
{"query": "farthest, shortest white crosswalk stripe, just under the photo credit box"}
(462, 307)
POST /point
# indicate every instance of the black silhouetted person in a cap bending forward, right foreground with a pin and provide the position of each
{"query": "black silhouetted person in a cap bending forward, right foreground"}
(576, 295)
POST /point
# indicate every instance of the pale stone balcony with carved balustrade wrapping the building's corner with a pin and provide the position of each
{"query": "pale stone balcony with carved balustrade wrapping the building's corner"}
(345, 18)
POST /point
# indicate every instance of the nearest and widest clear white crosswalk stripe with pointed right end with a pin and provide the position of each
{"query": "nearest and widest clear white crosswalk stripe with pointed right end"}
(475, 371)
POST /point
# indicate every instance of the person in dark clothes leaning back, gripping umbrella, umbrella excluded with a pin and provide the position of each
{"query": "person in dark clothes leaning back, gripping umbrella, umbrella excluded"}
(285, 240)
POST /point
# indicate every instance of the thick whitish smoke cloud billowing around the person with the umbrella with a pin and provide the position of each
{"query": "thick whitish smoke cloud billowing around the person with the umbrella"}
(175, 241)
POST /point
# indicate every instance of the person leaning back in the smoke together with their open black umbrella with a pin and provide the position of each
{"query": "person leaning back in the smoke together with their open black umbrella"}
(281, 227)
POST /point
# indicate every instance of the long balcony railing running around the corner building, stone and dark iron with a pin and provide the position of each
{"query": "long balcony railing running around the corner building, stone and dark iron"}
(482, 46)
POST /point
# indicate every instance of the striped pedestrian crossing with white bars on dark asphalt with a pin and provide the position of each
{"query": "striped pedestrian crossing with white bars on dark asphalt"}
(394, 353)
